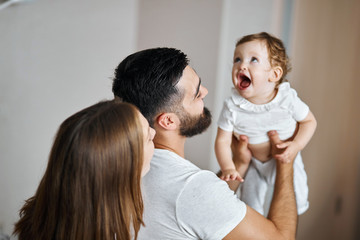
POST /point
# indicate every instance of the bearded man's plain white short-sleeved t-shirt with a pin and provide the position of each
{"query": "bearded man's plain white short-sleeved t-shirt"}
(182, 201)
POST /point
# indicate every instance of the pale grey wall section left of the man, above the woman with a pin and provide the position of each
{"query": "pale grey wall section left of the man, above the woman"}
(56, 57)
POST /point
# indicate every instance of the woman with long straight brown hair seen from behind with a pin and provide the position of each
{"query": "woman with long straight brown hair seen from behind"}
(91, 187)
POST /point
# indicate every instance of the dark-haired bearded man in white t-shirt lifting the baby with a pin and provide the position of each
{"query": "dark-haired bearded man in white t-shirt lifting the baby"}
(180, 200)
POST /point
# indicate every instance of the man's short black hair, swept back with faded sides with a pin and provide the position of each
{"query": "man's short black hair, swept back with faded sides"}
(148, 80)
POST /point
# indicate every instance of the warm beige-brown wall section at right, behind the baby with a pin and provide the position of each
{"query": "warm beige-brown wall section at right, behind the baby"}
(326, 70)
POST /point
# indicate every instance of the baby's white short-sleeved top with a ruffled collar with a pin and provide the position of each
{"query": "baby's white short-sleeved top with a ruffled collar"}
(255, 121)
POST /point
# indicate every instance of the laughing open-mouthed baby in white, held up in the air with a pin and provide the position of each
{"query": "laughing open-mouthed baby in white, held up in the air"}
(262, 100)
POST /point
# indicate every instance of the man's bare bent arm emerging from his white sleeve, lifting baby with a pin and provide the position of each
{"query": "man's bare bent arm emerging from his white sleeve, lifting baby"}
(282, 218)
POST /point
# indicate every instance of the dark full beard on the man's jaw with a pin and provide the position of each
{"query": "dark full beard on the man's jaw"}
(193, 125)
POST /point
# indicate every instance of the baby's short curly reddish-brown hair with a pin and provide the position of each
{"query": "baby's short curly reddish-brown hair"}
(276, 51)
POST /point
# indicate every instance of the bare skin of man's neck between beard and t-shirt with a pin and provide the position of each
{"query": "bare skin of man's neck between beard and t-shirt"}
(174, 143)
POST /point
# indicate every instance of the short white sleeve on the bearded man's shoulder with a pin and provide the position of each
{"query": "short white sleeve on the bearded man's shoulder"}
(207, 208)
